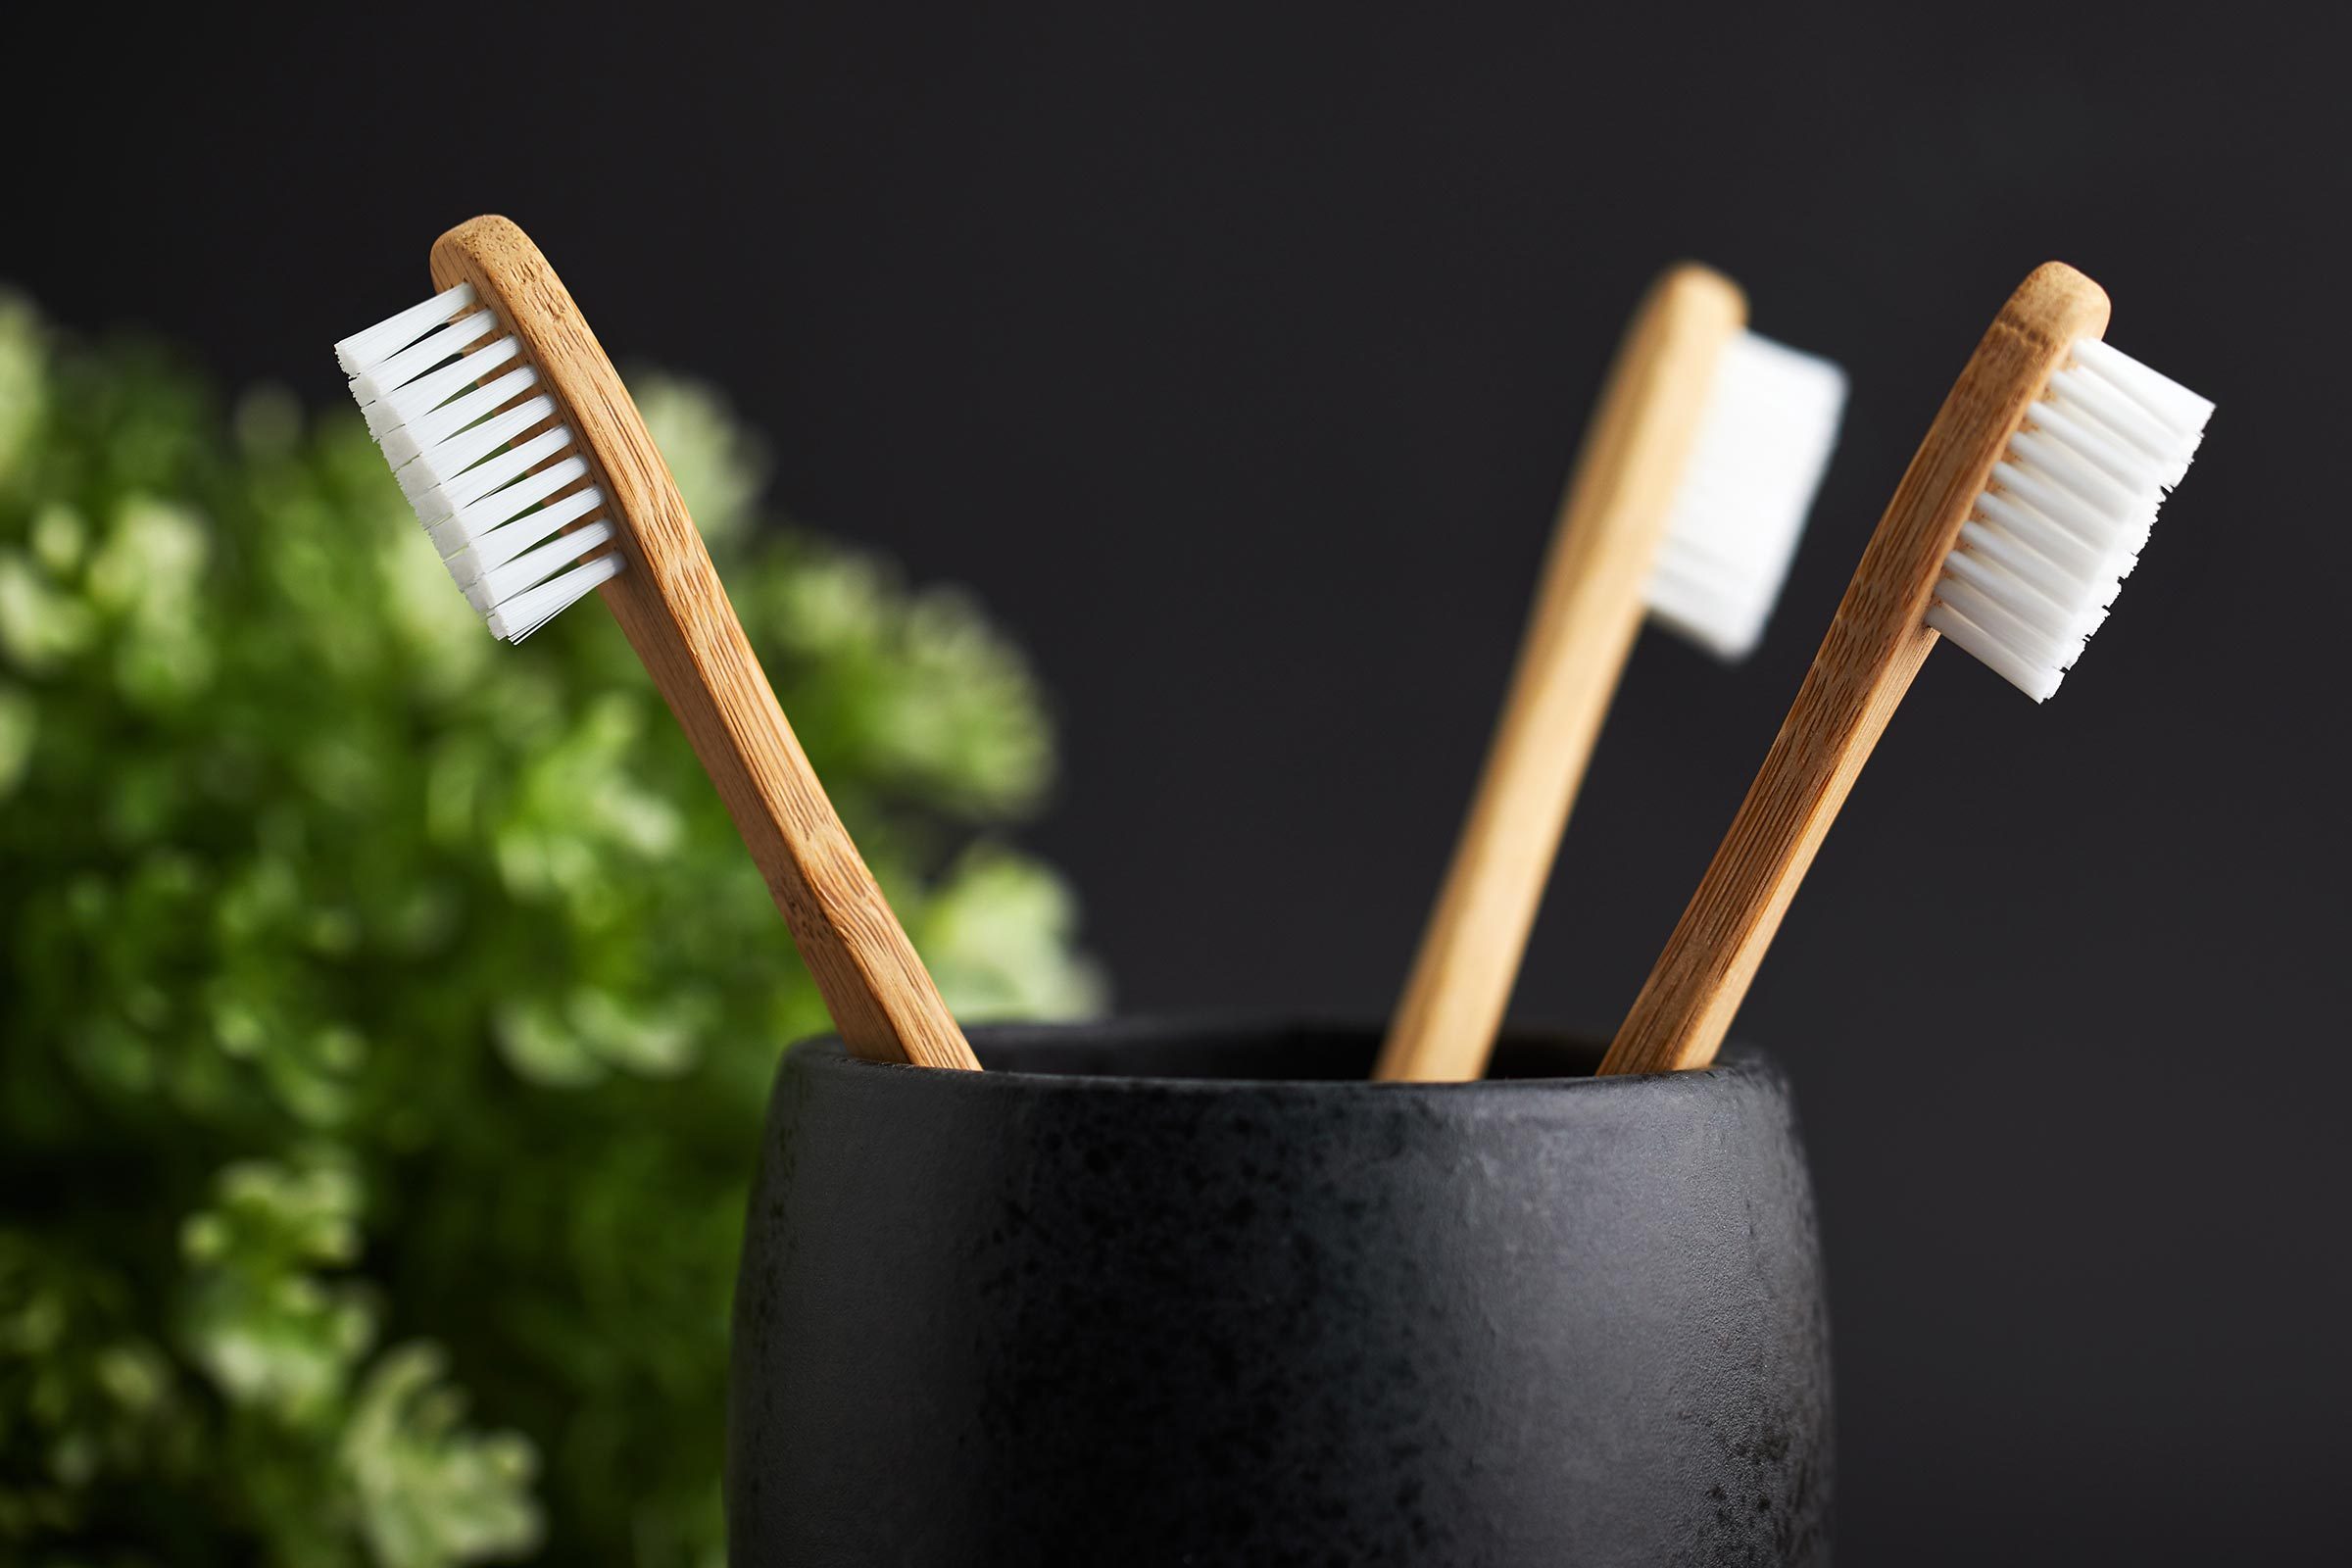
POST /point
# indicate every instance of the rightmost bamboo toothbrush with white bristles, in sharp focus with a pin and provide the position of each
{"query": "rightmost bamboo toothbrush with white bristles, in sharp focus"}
(2012, 530)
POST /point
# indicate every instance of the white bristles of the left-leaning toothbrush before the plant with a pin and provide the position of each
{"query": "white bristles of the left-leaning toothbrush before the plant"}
(455, 408)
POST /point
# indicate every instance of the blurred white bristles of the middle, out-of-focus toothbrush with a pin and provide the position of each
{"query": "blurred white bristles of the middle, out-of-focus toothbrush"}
(1758, 460)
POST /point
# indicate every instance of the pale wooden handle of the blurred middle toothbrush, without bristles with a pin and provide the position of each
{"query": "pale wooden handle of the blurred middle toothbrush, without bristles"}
(1586, 617)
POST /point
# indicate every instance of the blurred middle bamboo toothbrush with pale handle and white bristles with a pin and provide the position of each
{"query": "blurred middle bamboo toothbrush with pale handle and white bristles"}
(1688, 502)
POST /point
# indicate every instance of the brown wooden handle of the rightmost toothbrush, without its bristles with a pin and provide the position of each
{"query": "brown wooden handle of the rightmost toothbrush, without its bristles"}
(1855, 685)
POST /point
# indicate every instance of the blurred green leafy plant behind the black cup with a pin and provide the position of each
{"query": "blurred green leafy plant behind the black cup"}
(387, 1014)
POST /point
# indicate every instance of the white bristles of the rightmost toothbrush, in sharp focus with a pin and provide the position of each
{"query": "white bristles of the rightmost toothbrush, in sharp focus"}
(2062, 525)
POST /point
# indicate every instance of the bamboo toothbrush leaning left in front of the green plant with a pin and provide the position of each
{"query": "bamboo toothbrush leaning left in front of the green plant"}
(537, 481)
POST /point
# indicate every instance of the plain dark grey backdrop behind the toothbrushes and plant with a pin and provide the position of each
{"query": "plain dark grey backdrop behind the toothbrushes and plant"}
(1238, 363)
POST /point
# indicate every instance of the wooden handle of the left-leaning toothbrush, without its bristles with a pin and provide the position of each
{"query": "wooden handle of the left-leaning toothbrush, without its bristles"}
(676, 615)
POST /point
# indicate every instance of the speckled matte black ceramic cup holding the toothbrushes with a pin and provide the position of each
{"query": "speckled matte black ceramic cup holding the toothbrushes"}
(1198, 1294)
